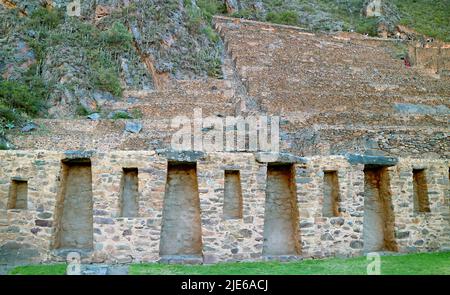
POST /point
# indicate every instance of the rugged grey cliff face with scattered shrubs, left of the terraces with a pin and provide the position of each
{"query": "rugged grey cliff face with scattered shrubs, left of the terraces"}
(110, 47)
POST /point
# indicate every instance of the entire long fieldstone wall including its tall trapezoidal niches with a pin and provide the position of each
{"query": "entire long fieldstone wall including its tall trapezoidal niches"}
(74, 201)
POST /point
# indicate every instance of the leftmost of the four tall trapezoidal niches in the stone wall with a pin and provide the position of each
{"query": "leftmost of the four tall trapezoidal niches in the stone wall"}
(75, 206)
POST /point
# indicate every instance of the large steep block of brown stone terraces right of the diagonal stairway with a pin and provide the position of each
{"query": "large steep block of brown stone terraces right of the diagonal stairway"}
(336, 92)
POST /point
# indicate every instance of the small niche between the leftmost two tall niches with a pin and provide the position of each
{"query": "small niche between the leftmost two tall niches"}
(129, 193)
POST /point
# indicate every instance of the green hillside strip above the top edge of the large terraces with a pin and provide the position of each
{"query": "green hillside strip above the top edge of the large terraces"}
(429, 17)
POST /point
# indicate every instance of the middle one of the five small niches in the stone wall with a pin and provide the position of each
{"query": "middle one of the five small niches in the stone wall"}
(232, 202)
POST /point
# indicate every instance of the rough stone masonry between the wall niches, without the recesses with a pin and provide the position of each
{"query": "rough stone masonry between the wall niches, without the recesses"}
(29, 235)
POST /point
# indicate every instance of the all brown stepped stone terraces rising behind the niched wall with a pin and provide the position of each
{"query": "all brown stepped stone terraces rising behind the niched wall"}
(335, 93)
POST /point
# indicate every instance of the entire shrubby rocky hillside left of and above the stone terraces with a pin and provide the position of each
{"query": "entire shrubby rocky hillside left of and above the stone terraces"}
(60, 66)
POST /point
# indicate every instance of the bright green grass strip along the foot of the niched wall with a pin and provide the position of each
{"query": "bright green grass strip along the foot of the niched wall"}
(412, 264)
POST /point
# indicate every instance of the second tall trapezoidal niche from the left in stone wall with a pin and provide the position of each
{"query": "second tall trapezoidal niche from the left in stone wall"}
(181, 232)
